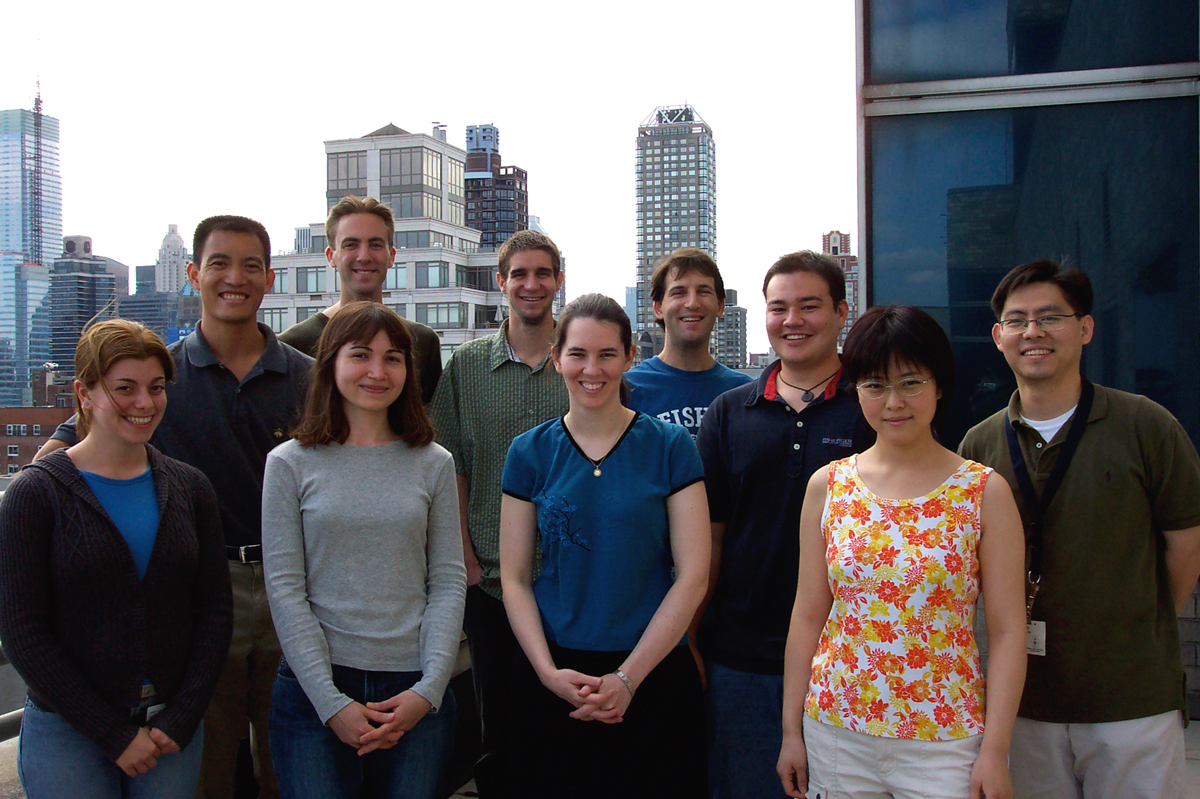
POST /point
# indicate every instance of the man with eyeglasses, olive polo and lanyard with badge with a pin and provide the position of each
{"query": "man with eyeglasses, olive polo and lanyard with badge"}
(1109, 489)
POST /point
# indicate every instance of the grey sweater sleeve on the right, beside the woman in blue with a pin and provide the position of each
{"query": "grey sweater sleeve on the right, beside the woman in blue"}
(446, 588)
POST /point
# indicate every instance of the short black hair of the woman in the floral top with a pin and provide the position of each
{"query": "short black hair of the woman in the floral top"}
(901, 334)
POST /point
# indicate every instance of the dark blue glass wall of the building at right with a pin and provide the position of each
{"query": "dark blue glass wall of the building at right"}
(998, 133)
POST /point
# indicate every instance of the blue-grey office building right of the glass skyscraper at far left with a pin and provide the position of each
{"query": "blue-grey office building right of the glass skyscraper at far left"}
(83, 290)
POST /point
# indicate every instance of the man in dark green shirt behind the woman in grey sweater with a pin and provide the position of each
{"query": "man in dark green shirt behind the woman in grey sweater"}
(361, 235)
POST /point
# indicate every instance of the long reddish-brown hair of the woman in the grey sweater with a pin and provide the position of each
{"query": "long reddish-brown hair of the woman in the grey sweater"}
(325, 417)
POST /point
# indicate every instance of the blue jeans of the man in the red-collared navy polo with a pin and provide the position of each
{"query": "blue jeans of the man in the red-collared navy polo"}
(746, 731)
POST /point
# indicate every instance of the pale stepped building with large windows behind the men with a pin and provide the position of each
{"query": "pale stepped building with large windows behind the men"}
(441, 277)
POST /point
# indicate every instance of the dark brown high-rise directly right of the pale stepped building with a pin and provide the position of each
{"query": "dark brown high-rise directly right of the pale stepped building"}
(497, 196)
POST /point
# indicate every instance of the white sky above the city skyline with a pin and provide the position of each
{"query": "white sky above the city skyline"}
(171, 113)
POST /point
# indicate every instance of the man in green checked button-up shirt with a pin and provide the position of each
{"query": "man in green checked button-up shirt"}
(491, 392)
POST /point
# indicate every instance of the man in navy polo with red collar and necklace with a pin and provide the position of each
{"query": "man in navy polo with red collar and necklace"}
(760, 444)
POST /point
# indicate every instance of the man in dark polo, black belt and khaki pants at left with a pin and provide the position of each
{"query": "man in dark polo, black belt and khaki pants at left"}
(238, 392)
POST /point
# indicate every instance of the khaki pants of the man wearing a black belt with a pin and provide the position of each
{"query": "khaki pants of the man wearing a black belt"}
(243, 698)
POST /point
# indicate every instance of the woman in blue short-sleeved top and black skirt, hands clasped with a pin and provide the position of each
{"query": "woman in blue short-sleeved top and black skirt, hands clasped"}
(616, 506)
